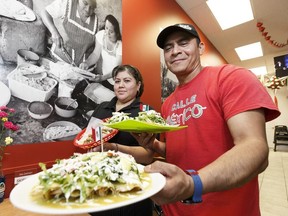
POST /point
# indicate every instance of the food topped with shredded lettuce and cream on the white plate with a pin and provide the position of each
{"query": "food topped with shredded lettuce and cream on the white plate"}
(86, 176)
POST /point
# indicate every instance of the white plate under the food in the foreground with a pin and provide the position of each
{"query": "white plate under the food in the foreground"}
(20, 197)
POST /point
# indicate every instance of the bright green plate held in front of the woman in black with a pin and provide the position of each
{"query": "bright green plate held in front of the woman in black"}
(140, 127)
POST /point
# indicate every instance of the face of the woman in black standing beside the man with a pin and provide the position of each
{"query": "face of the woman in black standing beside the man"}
(125, 86)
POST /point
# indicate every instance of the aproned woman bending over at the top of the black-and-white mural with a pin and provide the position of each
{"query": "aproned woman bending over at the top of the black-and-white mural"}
(73, 25)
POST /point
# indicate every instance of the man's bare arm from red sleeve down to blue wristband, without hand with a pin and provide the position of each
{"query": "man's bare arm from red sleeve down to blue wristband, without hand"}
(245, 160)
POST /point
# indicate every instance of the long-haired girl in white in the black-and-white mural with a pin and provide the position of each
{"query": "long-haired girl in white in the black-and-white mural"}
(106, 55)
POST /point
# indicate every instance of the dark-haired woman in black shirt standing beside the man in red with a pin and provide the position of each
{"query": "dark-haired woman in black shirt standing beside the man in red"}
(128, 89)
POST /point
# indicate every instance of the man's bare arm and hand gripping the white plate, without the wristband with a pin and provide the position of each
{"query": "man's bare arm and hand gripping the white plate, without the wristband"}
(234, 168)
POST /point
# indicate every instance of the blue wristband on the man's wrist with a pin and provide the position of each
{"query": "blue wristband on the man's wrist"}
(198, 188)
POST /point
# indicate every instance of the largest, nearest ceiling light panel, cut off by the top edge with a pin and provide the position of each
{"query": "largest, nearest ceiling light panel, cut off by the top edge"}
(230, 13)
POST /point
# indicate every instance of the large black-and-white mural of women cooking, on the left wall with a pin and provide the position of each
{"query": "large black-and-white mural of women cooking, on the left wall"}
(56, 64)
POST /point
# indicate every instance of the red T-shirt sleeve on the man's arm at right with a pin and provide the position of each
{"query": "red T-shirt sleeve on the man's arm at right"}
(241, 91)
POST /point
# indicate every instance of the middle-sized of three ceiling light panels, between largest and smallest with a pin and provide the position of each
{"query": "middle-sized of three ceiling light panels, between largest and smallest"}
(249, 51)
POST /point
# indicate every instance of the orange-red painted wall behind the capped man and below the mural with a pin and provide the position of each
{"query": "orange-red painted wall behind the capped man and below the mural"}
(141, 23)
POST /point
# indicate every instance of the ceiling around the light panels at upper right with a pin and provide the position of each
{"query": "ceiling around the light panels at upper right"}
(272, 13)
